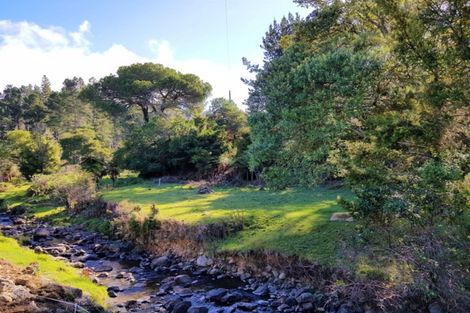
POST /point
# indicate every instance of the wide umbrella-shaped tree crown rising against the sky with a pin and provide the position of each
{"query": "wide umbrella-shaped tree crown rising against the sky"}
(151, 87)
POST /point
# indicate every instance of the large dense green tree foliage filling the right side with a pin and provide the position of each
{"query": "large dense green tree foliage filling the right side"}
(373, 92)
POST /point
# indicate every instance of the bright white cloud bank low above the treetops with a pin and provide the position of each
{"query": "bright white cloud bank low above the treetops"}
(28, 51)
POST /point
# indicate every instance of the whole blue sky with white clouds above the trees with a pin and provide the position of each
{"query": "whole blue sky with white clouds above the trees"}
(91, 38)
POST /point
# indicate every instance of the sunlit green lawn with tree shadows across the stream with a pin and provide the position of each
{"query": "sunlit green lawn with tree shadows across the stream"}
(292, 221)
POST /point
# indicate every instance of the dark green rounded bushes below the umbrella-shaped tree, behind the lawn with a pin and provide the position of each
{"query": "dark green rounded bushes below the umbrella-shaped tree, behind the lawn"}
(175, 146)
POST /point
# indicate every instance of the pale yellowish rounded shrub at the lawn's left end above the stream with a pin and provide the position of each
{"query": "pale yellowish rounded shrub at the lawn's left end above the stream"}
(71, 186)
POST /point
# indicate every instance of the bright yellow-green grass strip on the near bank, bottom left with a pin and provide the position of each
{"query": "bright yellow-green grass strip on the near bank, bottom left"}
(54, 269)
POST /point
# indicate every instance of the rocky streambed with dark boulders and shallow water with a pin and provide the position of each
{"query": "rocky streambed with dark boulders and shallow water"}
(138, 281)
